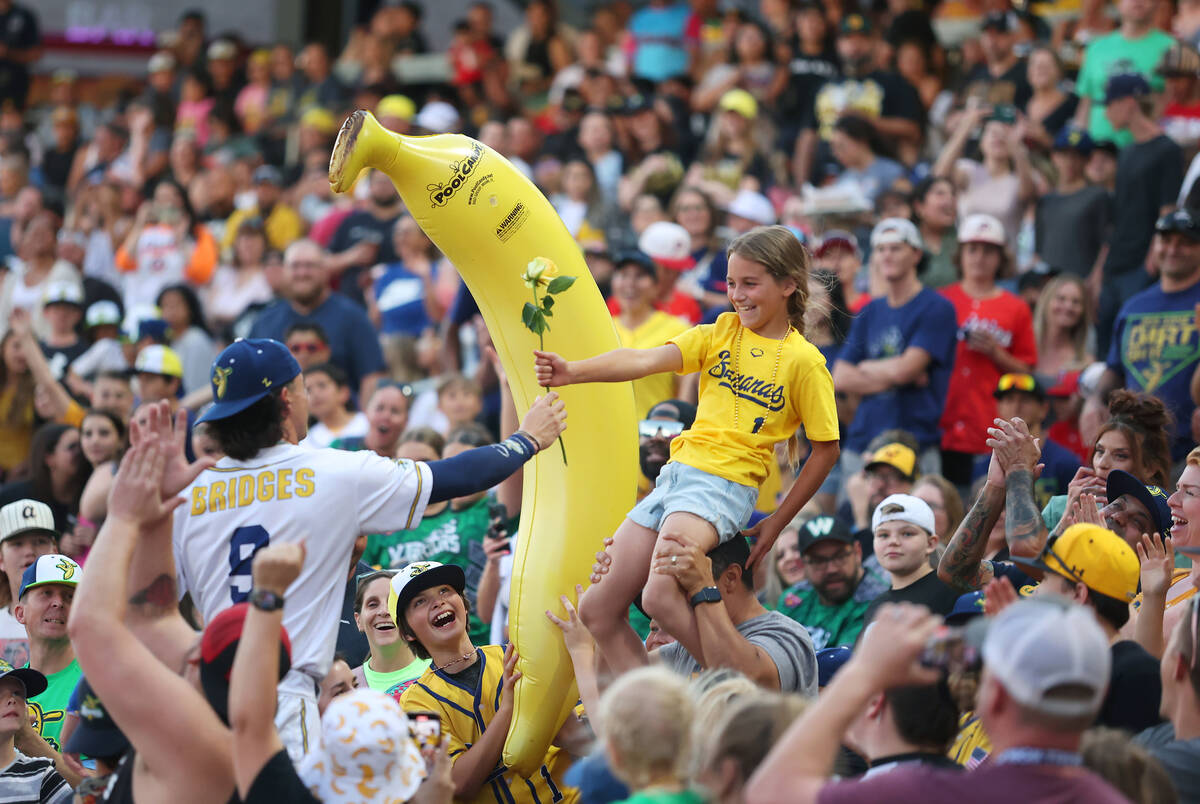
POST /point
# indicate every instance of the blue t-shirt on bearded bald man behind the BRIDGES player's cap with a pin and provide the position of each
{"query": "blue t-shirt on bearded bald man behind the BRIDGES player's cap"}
(352, 340)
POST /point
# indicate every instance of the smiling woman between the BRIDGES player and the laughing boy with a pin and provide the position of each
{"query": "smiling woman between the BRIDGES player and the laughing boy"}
(392, 668)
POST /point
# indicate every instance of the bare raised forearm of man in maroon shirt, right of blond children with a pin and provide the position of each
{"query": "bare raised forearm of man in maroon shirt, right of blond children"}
(801, 763)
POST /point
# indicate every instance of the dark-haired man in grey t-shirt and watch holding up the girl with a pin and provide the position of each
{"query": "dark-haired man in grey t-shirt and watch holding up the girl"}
(734, 629)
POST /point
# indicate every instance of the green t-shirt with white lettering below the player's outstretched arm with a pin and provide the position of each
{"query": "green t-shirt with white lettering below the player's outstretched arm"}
(449, 537)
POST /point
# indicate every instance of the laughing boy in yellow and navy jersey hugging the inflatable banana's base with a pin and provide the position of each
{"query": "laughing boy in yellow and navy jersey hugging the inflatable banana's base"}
(470, 688)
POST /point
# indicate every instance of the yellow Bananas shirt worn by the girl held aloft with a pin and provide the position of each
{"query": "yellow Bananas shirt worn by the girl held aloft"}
(770, 410)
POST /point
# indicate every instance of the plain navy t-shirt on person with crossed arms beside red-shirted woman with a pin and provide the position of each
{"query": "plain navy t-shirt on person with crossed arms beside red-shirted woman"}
(880, 331)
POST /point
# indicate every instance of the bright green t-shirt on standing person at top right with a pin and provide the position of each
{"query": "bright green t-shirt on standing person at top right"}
(1111, 56)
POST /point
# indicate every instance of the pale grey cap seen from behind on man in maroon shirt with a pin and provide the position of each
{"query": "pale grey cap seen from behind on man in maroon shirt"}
(1051, 656)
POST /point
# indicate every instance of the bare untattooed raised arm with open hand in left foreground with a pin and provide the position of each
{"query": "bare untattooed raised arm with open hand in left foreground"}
(136, 686)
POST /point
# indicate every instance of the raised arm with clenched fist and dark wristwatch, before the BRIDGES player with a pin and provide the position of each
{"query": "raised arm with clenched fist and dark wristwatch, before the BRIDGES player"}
(256, 668)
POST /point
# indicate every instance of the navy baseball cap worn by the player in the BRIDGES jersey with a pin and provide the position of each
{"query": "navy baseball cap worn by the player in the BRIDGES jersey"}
(245, 373)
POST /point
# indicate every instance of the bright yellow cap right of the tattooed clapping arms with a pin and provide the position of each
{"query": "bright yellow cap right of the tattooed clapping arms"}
(1094, 556)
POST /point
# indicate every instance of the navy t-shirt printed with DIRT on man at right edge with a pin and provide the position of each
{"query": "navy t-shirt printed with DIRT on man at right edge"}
(1155, 347)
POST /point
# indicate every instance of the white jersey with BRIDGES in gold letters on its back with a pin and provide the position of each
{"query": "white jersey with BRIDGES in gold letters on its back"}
(326, 499)
